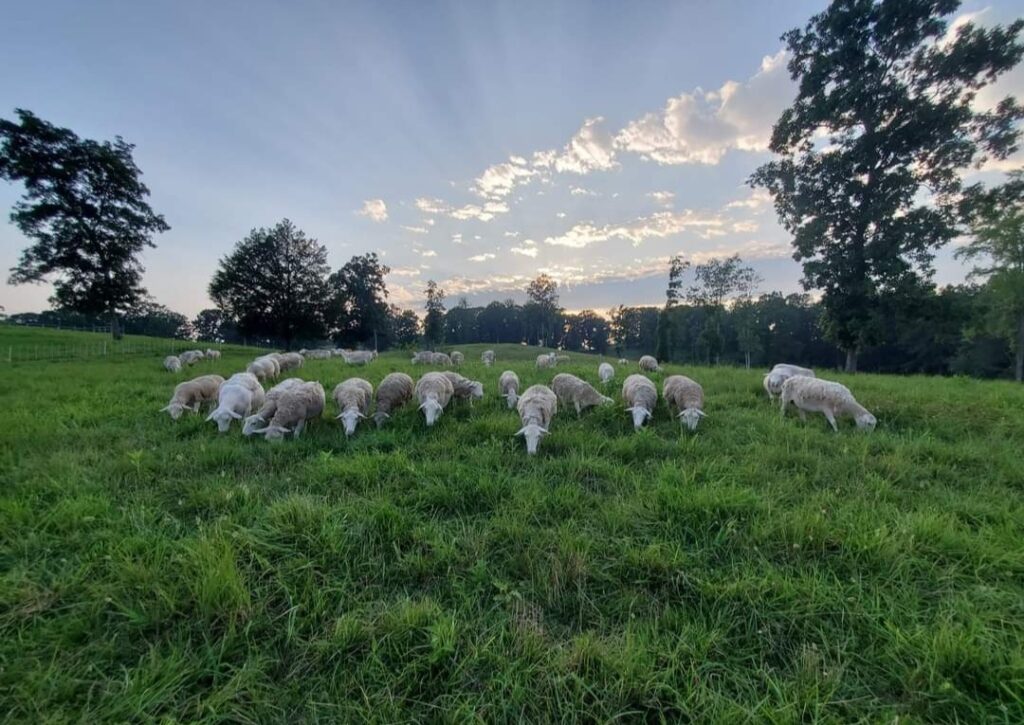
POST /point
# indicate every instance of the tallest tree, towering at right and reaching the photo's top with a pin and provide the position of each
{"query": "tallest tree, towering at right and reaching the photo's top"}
(897, 101)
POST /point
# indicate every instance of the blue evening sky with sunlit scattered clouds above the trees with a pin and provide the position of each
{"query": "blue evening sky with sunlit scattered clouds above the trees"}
(475, 144)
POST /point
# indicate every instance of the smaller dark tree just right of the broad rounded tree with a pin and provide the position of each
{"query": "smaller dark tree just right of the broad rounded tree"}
(358, 309)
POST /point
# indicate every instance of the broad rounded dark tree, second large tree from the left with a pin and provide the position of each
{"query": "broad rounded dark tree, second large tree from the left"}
(274, 285)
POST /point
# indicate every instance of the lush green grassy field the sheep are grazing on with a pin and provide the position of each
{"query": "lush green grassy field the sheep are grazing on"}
(757, 571)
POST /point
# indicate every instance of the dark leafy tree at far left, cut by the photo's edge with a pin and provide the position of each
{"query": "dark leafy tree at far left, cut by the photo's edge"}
(87, 211)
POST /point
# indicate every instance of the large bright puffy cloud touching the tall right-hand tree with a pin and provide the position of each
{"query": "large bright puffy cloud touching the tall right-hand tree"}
(701, 127)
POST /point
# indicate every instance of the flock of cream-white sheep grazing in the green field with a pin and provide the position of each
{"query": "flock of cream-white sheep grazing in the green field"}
(290, 405)
